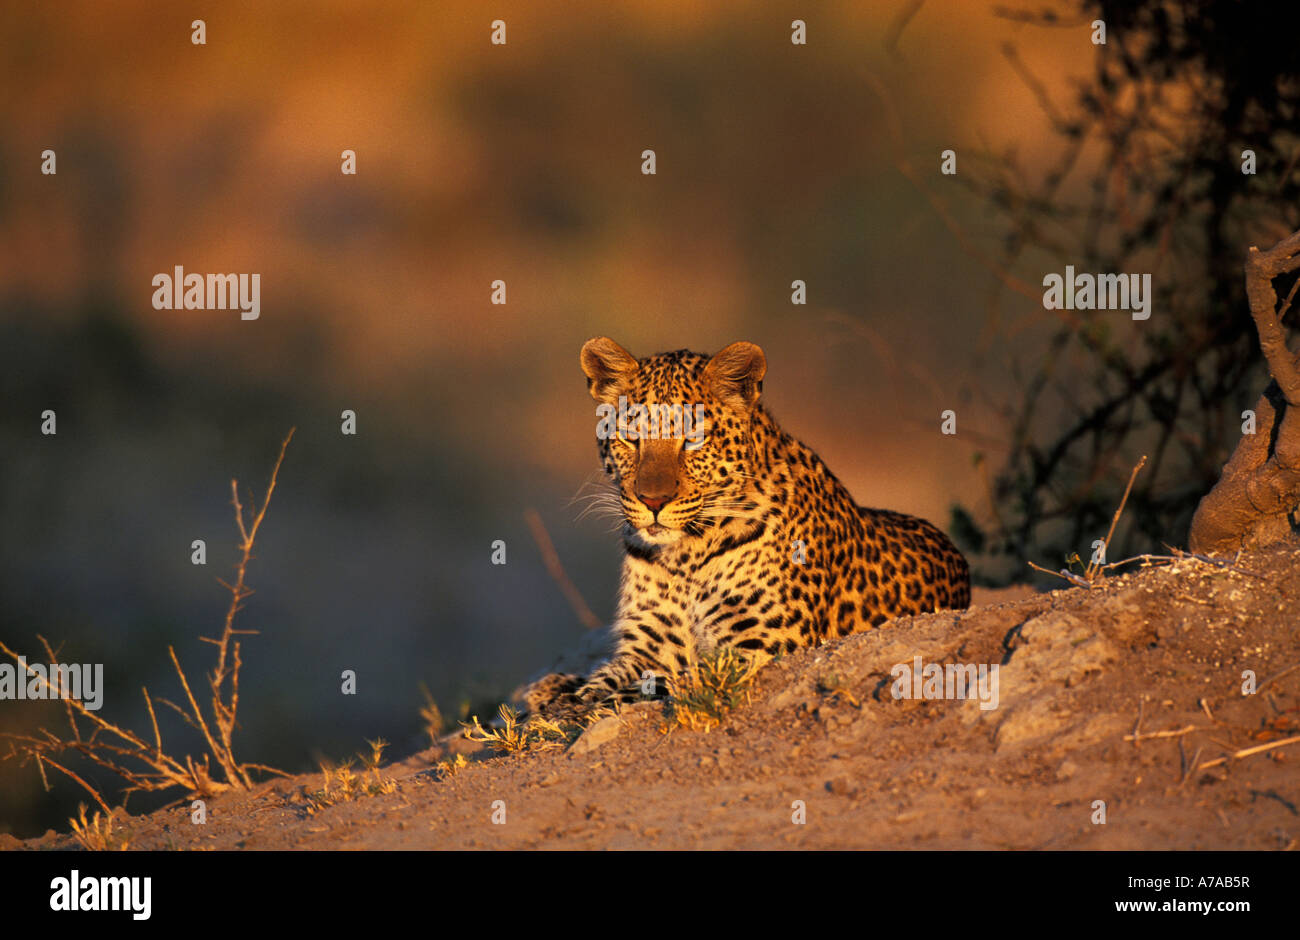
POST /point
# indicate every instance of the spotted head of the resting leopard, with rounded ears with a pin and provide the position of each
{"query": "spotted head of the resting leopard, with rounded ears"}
(675, 435)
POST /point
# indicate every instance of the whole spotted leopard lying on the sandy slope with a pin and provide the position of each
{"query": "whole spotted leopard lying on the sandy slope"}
(734, 532)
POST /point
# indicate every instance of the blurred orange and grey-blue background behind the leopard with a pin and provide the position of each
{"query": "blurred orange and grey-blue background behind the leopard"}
(523, 163)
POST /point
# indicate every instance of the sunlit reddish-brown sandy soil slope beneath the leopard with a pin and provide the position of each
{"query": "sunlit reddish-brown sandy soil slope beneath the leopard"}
(1158, 651)
